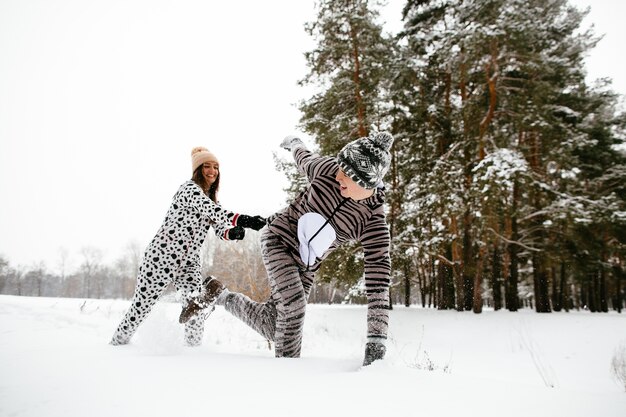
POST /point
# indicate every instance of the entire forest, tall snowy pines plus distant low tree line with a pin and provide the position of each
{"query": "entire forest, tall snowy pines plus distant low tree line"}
(508, 181)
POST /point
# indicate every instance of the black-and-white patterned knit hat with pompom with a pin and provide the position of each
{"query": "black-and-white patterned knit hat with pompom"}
(366, 160)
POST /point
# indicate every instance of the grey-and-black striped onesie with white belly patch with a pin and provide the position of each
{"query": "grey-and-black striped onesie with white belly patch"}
(299, 238)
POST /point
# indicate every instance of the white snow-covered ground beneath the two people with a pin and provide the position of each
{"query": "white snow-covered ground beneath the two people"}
(55, 360)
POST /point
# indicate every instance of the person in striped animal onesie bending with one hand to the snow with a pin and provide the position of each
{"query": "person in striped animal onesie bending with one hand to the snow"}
(343, 202)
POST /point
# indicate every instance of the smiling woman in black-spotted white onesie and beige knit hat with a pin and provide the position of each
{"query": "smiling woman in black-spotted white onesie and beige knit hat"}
(173, 256)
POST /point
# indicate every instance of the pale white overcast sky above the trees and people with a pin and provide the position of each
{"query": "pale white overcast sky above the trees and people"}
(102, 101)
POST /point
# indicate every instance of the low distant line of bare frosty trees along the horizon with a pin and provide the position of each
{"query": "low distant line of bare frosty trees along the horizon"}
(238, 264)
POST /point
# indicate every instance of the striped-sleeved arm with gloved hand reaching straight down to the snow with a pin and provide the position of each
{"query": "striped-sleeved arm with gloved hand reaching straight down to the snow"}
(377, 271)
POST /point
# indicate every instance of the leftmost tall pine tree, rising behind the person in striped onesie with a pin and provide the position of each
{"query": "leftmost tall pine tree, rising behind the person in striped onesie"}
(349, 67)
